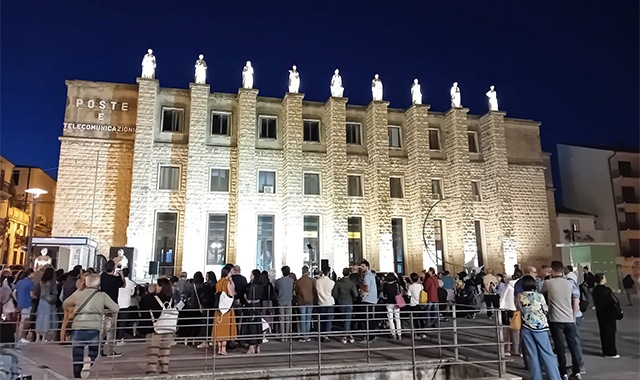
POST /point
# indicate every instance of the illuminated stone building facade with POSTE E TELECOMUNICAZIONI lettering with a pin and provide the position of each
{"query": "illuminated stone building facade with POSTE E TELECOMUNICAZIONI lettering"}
(195, 179)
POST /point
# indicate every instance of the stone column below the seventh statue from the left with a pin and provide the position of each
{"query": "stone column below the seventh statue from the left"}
(418, 189)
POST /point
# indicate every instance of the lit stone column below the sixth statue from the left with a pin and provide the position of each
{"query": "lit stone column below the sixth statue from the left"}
(376, 188)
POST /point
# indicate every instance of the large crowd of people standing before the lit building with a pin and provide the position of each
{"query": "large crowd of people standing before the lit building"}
(234, 311)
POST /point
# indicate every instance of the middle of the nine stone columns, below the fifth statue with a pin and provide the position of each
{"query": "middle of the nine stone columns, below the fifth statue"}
(336, 180)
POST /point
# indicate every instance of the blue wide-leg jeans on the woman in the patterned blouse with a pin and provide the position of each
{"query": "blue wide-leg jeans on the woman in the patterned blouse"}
(539, 353)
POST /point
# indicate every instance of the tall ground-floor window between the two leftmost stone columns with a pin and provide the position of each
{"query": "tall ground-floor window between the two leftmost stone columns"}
(165, 241)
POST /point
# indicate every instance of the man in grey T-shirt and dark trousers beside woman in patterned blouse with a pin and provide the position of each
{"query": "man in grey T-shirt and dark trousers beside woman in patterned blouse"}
(564, 304)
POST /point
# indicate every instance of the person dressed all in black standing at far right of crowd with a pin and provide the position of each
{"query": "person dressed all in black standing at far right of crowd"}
(608, 311)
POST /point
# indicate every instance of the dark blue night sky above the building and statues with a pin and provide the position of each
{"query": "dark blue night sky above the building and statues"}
(572, 65)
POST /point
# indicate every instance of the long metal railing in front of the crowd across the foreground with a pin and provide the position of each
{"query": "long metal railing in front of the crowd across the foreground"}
(446, 336)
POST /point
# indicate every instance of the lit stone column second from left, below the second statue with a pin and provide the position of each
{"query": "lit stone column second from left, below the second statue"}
(195, 231)
